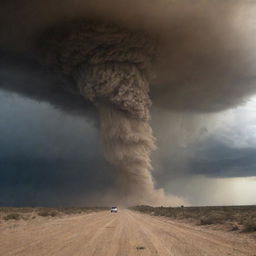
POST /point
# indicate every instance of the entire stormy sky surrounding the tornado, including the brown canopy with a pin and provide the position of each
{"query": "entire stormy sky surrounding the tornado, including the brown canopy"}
(203, 94)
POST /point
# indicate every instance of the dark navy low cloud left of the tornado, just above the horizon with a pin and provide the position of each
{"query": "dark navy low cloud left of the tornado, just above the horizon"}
(52, 182)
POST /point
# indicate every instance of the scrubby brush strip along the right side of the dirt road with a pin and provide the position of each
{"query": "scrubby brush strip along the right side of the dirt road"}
(233, 218)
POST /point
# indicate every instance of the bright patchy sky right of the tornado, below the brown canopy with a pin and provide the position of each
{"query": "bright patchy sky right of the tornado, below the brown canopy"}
(217, 166)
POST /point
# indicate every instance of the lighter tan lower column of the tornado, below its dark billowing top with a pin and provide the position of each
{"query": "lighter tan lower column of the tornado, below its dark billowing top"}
(128, 144)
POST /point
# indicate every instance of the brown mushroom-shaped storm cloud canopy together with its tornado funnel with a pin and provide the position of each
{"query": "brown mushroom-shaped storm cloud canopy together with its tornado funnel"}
(185, 58)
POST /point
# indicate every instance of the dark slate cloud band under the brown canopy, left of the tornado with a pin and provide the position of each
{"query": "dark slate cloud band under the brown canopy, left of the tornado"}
(27, 77)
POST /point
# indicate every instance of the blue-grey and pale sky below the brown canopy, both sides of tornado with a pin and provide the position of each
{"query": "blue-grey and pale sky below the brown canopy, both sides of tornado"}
(50, 157)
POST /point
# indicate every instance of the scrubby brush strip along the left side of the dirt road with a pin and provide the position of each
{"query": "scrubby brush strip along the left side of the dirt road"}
(26, 213)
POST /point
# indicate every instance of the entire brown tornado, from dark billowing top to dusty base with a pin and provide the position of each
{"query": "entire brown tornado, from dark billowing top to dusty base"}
(111, 66)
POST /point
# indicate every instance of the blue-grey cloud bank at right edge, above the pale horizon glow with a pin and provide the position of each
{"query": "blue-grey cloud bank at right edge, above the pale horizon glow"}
(216, 159)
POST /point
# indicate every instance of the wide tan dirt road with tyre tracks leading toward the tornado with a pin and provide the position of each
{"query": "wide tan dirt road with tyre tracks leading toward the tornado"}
(126, 233)
